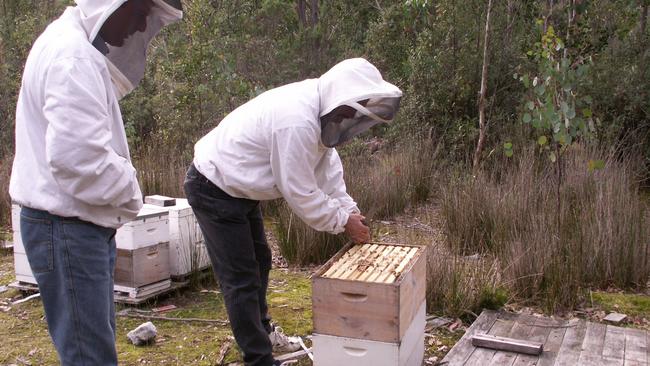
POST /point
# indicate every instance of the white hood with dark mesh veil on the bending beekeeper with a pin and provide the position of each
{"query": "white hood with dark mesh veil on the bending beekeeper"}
(358, 84)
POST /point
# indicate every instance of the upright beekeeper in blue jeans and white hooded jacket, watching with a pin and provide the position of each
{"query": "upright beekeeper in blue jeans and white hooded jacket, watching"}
(72, 172)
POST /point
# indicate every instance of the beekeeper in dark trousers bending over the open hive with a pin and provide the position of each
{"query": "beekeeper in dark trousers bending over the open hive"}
(280, 144)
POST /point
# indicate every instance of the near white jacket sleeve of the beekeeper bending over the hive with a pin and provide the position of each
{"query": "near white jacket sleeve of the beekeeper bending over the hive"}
(294, 156)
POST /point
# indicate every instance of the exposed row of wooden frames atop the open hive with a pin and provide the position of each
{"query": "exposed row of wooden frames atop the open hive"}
(372, 262)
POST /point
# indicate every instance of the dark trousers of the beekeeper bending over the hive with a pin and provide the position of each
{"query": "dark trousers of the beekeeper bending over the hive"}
(241, 260)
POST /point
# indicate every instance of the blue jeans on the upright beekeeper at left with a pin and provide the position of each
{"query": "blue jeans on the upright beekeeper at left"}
(73, 263)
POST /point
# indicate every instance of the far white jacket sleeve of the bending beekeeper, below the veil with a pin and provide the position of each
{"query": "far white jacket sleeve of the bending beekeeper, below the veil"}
(329, 176)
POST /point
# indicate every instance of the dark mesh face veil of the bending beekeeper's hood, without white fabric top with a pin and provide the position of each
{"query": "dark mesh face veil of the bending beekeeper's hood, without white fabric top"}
(377, 110)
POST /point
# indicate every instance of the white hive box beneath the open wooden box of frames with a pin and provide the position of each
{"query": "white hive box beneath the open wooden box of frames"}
(337, 351)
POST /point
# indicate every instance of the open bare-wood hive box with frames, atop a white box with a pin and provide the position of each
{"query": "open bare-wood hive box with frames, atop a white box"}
(369, 291)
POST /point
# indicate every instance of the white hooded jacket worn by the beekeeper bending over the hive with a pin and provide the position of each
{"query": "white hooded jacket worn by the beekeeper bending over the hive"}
(274, 146)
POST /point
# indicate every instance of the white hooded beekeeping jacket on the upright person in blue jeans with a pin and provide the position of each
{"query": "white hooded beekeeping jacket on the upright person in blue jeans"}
(72, 157)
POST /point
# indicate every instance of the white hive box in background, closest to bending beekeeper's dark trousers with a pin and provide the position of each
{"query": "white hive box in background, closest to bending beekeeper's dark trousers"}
(187, 252)
